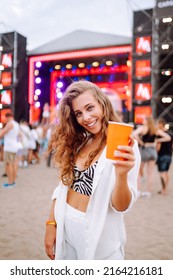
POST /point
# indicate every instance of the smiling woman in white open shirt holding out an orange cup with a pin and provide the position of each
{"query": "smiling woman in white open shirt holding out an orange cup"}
(86, 218)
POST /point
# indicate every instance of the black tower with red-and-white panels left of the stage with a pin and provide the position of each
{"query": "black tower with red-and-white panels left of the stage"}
(13, 75)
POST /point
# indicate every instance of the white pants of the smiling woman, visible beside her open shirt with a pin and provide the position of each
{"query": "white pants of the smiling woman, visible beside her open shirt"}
(75, 236)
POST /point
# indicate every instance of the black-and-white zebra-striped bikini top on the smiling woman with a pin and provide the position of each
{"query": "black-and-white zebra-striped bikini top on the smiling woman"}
(83, 181)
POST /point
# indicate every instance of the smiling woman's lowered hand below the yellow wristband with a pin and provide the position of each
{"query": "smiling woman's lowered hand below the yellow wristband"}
(50, 238)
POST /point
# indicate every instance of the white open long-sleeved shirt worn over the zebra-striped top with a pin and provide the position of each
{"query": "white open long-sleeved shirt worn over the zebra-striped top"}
(105, 225)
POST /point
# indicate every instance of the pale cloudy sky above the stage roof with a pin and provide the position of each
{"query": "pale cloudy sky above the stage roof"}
(44, 20)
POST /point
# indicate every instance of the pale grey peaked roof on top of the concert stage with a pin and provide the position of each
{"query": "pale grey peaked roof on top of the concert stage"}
(81, 39)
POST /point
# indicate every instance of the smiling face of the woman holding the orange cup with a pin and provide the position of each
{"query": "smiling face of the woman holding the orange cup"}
(88, 112)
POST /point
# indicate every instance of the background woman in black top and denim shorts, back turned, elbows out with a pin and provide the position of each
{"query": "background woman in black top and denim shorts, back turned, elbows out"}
(146, 136)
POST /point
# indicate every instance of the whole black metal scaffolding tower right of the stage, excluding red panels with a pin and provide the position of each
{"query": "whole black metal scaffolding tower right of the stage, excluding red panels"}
(161, 59)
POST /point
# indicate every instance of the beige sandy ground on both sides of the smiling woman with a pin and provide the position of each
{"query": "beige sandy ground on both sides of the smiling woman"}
(24, 210)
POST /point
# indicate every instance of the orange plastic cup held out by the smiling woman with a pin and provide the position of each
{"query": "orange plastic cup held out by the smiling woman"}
(118, 135)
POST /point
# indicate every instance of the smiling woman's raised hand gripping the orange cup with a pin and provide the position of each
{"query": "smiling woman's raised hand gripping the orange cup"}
(125, 158)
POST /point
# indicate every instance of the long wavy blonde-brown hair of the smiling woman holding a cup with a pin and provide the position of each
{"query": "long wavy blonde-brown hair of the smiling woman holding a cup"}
(68, 136)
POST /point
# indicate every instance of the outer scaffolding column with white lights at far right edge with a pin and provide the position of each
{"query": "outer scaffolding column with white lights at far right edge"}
(162, 71)
